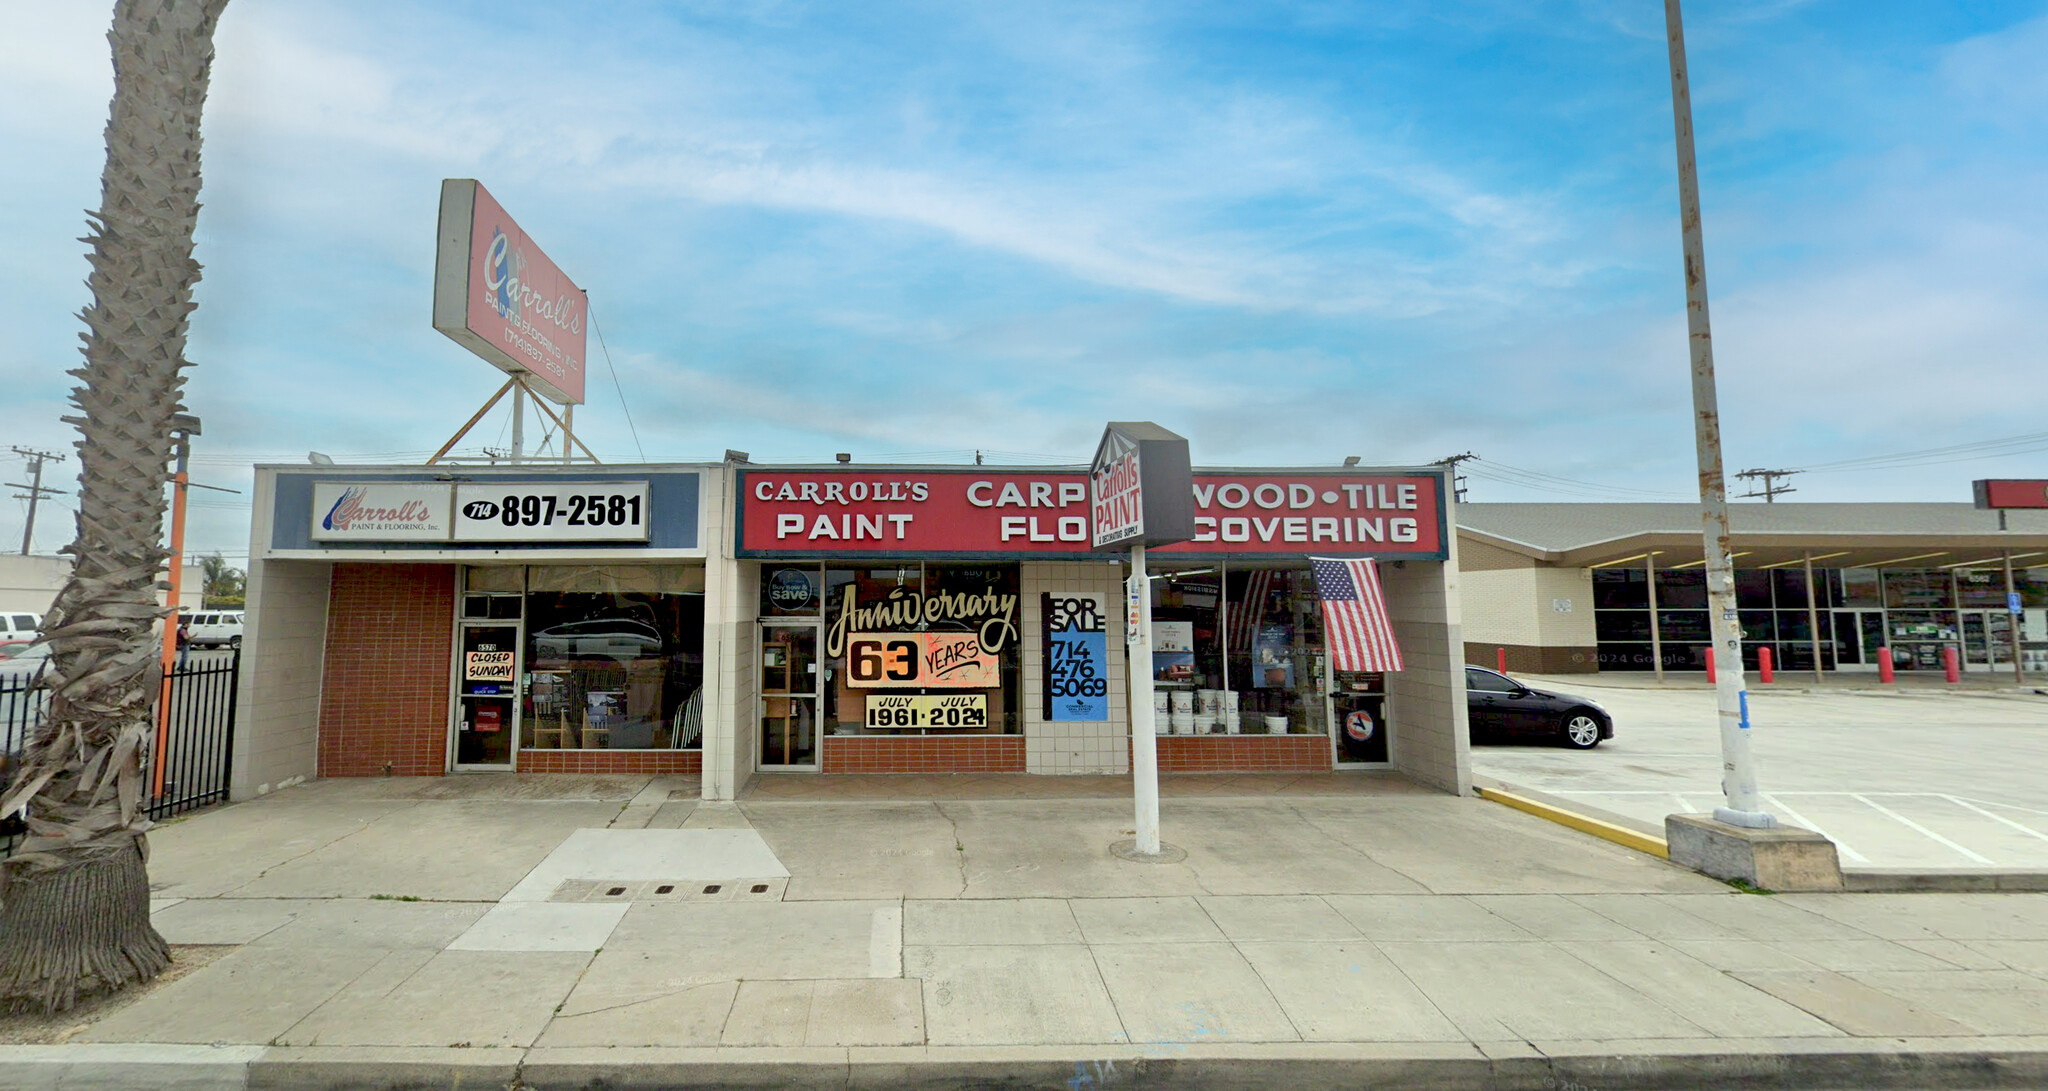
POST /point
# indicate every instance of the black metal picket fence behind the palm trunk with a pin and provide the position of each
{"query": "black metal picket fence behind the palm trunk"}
(198, 740)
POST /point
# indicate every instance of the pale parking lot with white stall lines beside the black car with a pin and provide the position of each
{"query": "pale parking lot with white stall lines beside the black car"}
(1897, 779)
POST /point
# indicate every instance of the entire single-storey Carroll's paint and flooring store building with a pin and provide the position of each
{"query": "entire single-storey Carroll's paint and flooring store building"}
(734, 621)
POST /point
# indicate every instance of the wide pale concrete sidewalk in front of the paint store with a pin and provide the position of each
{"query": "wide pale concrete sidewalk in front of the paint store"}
(581, 932)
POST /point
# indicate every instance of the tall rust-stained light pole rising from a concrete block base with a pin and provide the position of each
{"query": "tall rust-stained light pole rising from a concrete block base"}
(1738, 760)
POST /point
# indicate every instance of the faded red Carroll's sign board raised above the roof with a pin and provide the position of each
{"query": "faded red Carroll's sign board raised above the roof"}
(501, 298)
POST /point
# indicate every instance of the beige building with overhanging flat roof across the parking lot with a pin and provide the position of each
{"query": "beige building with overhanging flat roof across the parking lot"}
(1621, 586)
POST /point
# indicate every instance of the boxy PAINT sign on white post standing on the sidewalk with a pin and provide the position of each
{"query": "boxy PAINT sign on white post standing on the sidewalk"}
(1142, 492)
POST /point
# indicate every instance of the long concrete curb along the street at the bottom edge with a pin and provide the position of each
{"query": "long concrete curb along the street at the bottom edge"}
(1306, 1065)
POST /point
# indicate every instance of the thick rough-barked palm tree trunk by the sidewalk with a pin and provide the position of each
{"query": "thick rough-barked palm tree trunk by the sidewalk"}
(75, 900)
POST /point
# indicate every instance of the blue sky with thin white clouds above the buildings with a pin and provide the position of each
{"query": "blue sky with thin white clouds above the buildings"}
(1291, 232)
